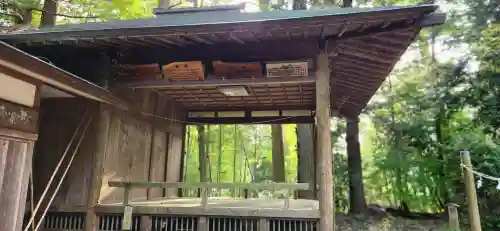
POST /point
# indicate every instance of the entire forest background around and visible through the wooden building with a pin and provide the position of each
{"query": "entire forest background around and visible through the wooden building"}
(441, 98)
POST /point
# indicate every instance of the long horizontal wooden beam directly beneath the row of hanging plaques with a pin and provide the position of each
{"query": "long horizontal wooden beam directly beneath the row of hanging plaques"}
(167, 84)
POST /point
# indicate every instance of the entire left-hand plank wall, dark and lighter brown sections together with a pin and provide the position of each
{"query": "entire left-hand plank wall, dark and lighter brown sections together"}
(137, 147)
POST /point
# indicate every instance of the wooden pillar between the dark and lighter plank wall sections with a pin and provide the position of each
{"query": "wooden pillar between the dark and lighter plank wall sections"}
(102, 128)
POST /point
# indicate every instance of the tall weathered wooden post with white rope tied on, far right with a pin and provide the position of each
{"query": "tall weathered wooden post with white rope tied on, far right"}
(474, 219)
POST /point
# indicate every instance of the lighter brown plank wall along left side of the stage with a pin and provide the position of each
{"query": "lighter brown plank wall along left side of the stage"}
(143, 148)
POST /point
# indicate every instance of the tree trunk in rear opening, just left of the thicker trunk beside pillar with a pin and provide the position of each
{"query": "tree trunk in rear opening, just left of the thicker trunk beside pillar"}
(278, 157)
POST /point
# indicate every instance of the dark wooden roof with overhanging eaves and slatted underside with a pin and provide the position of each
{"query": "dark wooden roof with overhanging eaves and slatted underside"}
(366, 44)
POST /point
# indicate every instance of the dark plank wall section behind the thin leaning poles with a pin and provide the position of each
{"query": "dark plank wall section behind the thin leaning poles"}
(59, 119)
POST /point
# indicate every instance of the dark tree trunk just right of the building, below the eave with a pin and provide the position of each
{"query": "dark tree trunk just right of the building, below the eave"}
(357, 200)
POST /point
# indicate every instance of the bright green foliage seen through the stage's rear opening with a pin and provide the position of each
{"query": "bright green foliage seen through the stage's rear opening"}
(244, 151)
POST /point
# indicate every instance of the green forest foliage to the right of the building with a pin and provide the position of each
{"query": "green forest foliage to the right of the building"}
(430, 112)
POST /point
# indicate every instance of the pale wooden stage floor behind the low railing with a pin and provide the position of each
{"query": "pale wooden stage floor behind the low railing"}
(234, 207)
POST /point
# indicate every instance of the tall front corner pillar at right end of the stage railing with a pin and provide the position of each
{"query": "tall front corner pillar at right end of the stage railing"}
(324, 140)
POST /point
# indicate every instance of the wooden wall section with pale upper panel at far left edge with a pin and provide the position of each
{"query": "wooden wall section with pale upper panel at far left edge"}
(18, 133)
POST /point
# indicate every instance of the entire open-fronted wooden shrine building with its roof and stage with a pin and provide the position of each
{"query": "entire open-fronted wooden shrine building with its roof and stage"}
(109, 102)
